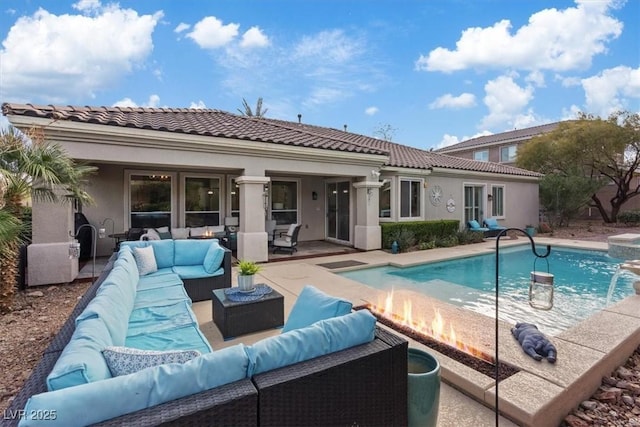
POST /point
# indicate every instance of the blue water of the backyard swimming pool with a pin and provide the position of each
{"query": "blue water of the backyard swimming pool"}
(582, 280)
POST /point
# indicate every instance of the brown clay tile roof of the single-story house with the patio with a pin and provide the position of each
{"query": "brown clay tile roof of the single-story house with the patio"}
(219, 123)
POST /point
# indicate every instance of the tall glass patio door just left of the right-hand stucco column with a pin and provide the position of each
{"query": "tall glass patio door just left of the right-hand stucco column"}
(338, 218)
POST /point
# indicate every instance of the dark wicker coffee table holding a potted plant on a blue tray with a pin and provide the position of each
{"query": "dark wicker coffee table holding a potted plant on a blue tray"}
(235, 318)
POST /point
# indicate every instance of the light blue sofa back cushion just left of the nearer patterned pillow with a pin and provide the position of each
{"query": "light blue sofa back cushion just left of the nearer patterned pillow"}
(81, 360)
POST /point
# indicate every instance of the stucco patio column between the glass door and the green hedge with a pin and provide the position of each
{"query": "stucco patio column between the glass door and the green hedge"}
(367, 233)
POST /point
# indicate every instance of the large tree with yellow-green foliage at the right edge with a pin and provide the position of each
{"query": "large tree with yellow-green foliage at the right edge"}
(603, 150)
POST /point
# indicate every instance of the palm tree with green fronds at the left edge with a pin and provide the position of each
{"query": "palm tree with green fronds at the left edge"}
(30, 167)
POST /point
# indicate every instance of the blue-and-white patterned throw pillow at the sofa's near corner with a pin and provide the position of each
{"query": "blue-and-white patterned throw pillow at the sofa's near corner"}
(126, 360)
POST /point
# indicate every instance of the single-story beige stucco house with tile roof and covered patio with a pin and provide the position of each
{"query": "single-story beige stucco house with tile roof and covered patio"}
(194, 167)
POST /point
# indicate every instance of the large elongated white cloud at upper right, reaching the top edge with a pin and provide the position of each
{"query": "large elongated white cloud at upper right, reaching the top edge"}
(553, 39)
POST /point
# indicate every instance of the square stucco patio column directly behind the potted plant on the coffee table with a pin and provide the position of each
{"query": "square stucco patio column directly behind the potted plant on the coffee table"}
(252, 238)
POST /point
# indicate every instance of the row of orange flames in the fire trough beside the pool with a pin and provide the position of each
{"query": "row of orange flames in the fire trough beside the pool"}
(436, 329)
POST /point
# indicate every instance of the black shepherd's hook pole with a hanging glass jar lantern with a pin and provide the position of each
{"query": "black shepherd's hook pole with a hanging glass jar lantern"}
(540, 293)
